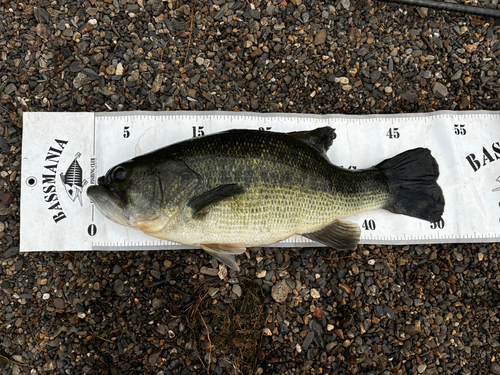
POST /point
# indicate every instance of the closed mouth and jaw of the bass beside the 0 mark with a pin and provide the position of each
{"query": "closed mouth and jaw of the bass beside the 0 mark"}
(108, 202)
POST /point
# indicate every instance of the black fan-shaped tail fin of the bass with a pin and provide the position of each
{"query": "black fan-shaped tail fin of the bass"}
(412, 179)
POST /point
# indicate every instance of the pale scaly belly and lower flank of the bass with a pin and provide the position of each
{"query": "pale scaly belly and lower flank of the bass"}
(263, 216)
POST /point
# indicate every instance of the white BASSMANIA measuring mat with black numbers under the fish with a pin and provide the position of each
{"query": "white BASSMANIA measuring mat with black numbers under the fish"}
(65, 153)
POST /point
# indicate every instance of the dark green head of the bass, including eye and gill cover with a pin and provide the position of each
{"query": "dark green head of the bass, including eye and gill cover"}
(131, 194)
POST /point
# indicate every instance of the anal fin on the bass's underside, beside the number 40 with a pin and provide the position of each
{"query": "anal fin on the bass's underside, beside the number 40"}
(342, 235)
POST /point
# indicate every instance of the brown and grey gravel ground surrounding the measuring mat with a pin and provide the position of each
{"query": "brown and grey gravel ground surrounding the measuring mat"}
(378, 310)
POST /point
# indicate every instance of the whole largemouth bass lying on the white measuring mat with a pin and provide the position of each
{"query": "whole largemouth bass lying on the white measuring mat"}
(240, 188)
